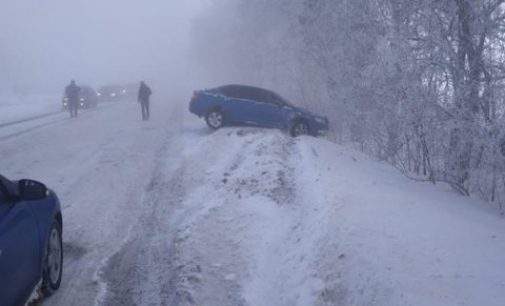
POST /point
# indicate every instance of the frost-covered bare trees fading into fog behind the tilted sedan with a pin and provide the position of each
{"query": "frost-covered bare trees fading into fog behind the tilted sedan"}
(419, 84)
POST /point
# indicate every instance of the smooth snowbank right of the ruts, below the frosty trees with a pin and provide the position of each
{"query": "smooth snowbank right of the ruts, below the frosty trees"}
(392, 241)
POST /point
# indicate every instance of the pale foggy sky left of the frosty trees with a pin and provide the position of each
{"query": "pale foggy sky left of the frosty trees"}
(45, 43)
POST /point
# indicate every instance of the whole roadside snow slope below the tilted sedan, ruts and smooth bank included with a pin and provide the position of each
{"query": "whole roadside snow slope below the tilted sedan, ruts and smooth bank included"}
(276, 221)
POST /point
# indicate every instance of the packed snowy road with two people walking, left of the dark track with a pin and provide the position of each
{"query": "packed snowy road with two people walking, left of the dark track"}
(100, 165)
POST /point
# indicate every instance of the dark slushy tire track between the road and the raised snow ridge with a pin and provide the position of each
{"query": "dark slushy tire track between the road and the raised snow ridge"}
(139, 272)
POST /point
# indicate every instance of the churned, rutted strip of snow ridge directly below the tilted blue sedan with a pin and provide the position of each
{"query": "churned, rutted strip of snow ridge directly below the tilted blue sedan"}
(242, 250)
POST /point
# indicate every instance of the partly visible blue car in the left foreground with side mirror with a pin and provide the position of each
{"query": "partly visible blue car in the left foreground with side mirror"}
(31, 252)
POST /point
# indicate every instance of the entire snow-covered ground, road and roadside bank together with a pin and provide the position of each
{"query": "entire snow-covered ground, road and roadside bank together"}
(167, 213)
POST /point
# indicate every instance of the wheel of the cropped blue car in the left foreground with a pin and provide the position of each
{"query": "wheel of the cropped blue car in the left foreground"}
(53, 261)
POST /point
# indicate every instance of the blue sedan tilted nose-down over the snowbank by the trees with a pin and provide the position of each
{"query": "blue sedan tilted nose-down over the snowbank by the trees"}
(239, 105)
